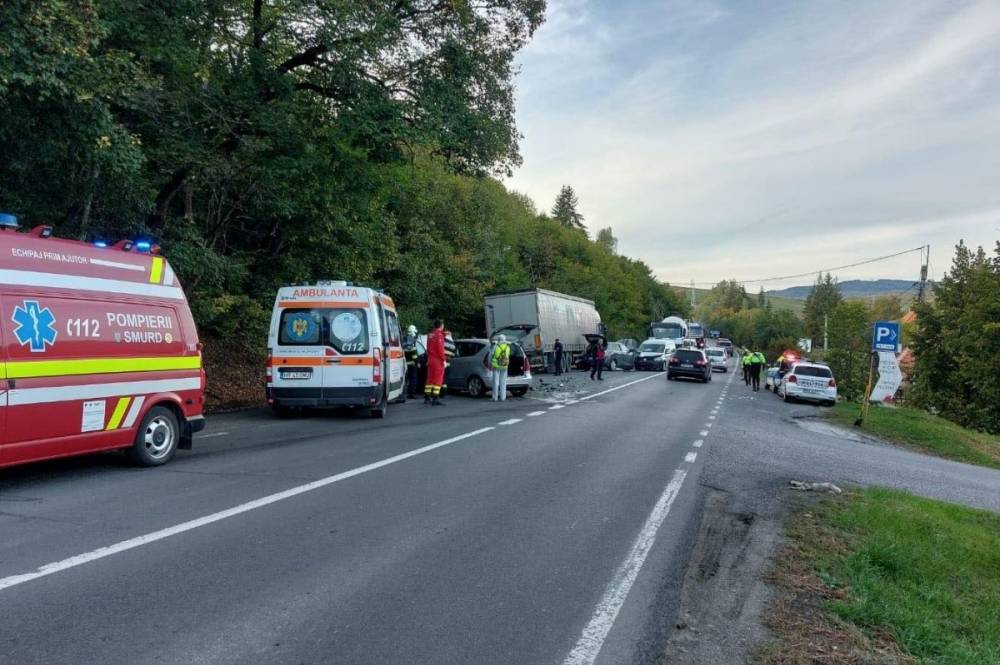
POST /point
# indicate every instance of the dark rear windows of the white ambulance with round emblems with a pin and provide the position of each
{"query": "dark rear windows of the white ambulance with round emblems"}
(346, 330)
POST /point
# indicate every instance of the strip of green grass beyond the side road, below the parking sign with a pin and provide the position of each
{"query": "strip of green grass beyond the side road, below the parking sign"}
(921, 431)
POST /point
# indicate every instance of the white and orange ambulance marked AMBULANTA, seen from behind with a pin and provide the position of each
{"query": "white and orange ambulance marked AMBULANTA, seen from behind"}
(334, 344)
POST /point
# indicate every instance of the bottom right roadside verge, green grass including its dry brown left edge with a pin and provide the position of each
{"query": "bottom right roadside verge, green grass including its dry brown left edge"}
(880, 576)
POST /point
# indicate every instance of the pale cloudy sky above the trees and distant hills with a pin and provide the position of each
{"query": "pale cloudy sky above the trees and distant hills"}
(748, 139)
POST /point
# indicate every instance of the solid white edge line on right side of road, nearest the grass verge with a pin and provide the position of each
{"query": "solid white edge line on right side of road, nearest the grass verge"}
(589, 645)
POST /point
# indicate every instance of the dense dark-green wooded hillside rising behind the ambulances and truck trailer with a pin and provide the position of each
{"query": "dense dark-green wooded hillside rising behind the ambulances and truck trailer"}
(271, 141)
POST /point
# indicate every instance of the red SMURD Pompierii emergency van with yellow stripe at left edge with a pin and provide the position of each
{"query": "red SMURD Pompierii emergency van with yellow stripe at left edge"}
(99, 350)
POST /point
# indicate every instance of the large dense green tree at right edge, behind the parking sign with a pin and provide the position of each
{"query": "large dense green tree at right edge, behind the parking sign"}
(957, 342)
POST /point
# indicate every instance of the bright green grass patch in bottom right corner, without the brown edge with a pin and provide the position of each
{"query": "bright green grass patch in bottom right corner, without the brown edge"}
(922, 573)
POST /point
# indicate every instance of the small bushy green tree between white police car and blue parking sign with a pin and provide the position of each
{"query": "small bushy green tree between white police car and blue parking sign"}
(850, 346)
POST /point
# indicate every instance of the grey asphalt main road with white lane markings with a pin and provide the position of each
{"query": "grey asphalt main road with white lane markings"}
(522, 532)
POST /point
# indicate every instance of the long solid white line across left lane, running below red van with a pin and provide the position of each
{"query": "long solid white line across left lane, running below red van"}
(139, 541)
